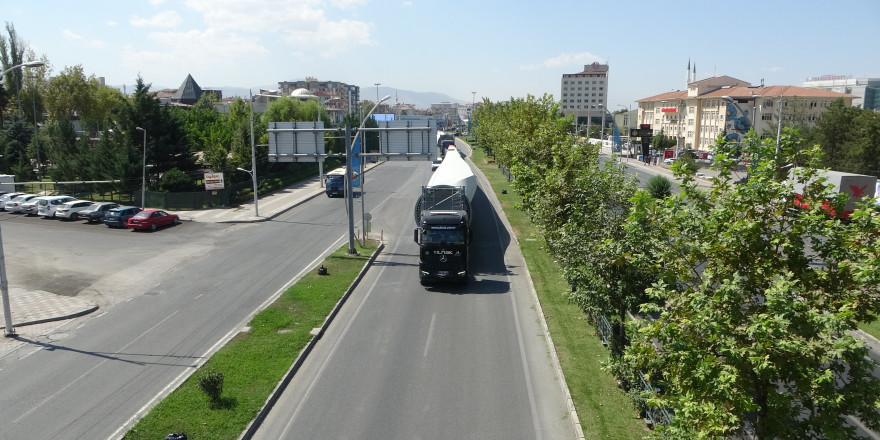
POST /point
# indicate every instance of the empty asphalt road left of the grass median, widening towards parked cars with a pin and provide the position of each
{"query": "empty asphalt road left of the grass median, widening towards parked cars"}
(168, 299)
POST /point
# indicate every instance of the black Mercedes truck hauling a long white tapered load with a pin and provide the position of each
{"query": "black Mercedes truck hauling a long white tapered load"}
(443, 217)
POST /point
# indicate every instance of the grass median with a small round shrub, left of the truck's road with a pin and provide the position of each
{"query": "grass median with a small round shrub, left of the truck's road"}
(254, 362)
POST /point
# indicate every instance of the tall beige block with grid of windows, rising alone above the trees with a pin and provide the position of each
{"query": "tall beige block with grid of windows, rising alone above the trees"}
(584, 94)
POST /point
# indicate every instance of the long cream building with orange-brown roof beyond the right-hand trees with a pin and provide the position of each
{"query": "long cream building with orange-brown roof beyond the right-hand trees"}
(716, 105)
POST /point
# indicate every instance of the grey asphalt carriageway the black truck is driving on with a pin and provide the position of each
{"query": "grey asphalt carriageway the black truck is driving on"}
(403, 361)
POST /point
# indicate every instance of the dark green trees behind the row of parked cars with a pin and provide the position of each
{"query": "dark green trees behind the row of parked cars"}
(69, 127)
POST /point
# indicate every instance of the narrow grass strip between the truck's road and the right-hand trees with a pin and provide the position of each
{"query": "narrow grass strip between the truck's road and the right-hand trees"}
(604, 410)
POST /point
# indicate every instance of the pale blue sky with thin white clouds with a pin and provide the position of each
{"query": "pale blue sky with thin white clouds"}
(496, 49)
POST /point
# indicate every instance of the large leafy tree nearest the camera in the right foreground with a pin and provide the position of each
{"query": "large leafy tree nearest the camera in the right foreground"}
(754, 305)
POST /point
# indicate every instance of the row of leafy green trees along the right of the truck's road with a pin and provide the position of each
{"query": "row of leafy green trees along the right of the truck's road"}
(738, 309)
